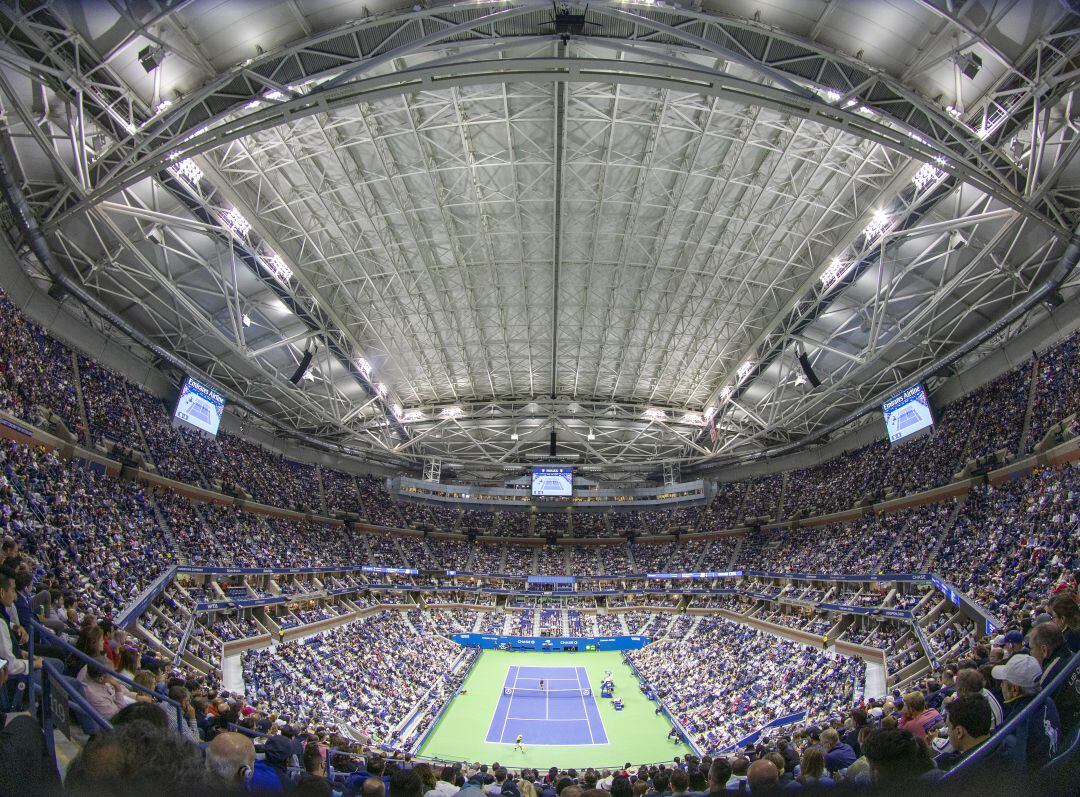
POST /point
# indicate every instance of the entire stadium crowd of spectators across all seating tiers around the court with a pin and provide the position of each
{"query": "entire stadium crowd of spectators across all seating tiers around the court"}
(97, 542)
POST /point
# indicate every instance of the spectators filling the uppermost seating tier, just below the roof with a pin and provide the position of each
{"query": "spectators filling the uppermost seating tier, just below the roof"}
(38, 373)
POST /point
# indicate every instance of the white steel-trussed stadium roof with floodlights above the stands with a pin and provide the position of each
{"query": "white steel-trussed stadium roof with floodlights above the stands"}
(625, 222)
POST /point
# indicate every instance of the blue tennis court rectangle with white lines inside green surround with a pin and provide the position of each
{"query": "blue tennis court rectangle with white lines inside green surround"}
(565, 712)
